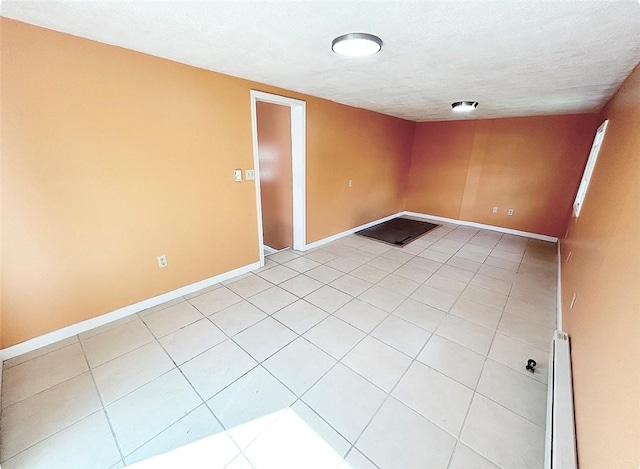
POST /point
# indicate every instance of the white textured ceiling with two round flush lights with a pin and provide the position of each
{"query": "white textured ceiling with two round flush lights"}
(515, 57)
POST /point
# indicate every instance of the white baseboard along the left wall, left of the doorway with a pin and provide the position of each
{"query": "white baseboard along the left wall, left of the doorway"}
(83, 326)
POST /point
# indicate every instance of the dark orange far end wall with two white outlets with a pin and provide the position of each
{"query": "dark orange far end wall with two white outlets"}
(462, 169)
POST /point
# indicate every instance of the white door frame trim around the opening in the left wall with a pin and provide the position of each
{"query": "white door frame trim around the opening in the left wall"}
(298, 160)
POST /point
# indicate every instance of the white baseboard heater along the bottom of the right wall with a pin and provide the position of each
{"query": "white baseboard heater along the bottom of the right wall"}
(560, 444)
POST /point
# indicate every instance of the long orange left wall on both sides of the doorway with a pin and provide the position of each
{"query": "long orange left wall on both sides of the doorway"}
(112, 157)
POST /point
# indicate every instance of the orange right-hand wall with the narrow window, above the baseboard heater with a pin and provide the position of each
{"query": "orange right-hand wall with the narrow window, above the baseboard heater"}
(604, 272)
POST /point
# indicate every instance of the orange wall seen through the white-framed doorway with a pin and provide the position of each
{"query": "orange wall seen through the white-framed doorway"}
(276, 187)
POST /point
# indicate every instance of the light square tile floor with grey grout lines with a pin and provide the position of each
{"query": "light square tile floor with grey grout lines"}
(357, 354)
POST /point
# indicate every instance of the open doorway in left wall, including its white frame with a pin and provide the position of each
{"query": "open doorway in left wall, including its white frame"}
(280, 192)
